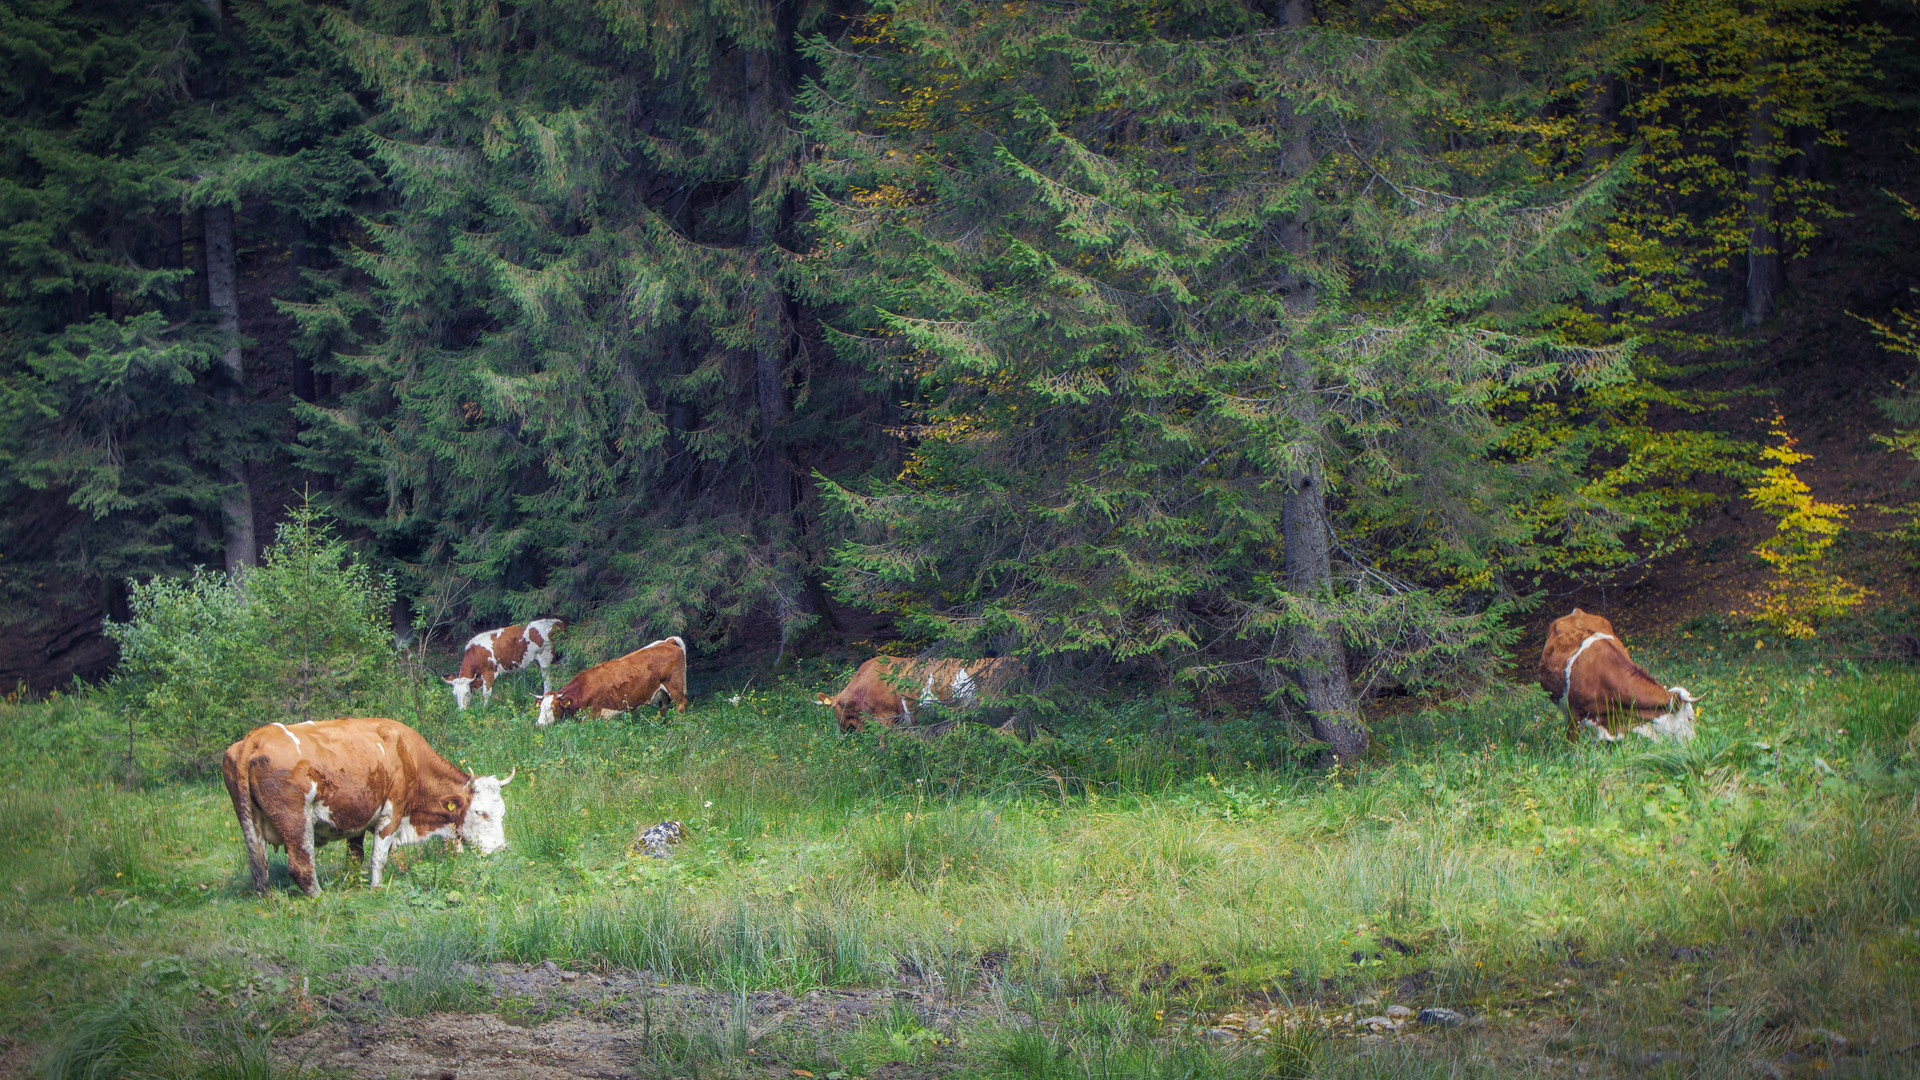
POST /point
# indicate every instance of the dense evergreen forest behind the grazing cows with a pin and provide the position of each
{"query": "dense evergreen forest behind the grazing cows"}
(1195, 343)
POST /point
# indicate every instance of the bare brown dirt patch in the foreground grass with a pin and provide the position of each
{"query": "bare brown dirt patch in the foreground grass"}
(552, 1023)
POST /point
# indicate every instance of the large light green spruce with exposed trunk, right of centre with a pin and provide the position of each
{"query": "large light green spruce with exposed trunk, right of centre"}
(1207, 316)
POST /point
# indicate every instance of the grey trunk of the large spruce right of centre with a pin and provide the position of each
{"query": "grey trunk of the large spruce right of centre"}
(1318, 652)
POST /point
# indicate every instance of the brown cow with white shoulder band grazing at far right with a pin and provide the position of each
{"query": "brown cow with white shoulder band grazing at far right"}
(1600, 689)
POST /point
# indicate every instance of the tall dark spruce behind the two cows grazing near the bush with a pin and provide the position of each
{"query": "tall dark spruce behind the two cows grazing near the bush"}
(590, 387)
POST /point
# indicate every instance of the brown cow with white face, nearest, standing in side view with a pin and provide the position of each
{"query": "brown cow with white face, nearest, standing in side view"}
(306, 785)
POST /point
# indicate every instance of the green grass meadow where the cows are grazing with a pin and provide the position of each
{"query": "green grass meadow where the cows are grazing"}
(1744, 906)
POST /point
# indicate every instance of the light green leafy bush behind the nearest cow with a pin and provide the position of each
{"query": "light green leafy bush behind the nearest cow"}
(299, 639)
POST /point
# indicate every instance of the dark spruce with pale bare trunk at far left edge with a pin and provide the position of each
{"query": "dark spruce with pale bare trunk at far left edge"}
(149, 147)
